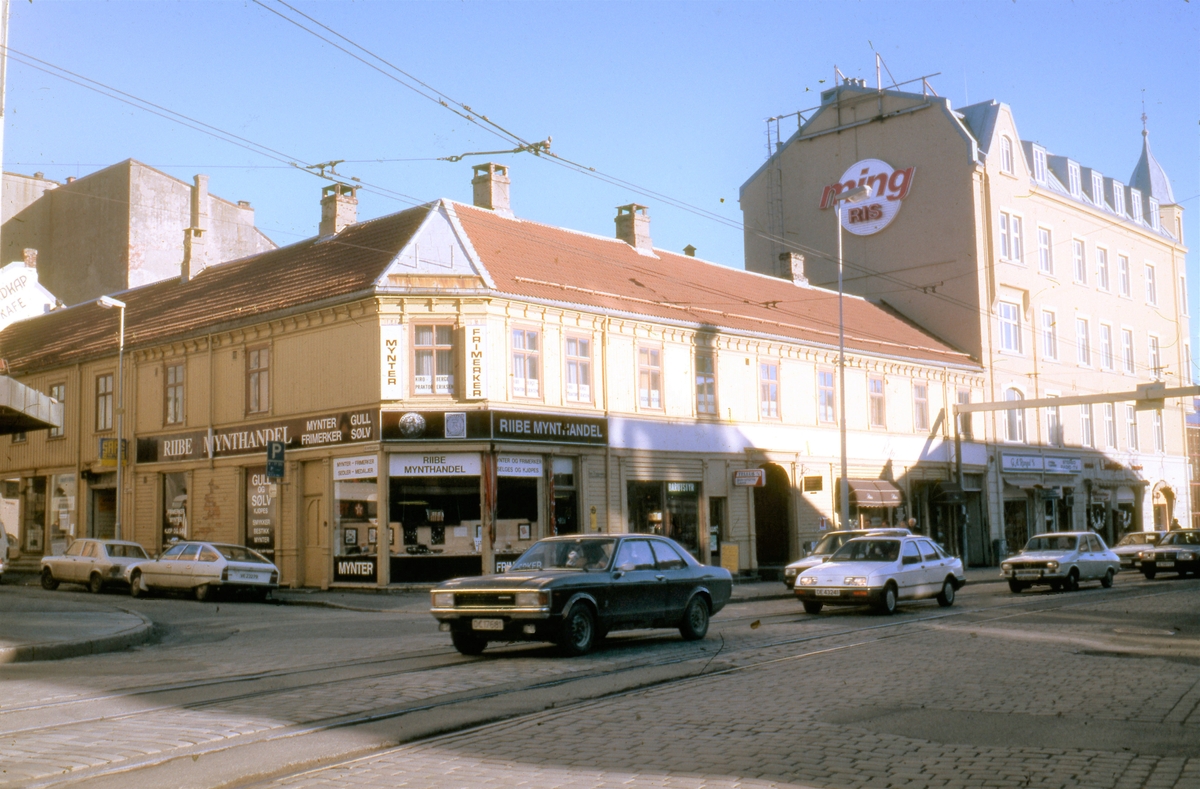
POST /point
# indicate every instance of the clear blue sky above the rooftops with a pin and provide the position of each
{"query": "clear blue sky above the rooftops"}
(669, 97)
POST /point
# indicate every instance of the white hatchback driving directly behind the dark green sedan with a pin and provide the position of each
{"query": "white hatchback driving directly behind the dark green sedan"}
(881, 571)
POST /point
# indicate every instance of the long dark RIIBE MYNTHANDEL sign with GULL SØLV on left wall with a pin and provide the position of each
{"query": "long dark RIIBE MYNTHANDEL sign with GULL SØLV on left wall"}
(349, 427)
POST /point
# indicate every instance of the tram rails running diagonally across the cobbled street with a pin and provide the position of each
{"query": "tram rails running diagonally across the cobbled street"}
(597, 685)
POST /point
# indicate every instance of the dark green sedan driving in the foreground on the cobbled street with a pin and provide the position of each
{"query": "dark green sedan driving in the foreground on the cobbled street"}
(575, 591)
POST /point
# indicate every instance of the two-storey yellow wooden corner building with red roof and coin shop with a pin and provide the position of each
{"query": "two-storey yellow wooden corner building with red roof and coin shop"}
(482, 382)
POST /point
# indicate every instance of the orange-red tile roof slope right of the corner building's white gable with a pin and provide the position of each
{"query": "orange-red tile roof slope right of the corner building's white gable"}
(541, 262)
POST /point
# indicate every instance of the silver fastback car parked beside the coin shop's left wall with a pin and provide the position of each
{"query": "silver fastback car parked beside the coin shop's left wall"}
(206, 569)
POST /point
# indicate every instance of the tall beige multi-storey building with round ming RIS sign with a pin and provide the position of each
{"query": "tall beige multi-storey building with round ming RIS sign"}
(1060, 280)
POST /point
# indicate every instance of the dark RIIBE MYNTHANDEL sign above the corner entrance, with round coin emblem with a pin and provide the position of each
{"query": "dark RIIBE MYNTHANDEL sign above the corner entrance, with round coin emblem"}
(500, 426)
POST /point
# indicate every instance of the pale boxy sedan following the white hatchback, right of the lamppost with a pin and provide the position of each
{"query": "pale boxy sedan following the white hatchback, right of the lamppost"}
(1061, 561)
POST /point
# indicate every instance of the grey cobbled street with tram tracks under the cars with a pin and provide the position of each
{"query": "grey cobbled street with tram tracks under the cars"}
(1093, 689)
